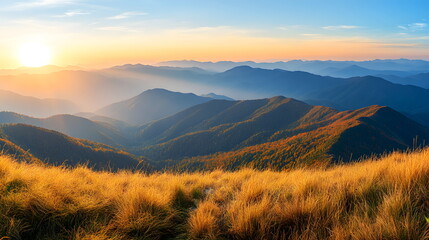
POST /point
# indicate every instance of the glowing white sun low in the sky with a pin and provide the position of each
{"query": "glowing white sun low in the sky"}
(34, 55)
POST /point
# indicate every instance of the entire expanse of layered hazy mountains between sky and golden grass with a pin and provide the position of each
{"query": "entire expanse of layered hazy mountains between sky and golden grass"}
(295, 118)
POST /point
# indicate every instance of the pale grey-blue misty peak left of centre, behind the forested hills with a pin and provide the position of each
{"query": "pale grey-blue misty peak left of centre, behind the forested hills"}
(151, 105)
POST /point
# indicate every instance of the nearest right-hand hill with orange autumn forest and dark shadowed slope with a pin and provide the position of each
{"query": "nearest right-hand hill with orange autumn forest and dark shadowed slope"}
(347, 136)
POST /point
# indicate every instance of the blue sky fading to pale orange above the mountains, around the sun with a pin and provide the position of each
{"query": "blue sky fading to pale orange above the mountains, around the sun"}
(98, 33)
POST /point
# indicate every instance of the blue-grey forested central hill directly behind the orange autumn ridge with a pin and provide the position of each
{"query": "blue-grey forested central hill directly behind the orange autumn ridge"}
(237, 120)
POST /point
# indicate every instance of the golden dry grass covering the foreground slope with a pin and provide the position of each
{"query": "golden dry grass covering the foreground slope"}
(375, 199)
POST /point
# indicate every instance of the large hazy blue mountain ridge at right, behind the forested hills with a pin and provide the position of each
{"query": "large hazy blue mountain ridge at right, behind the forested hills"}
(341, 93)
